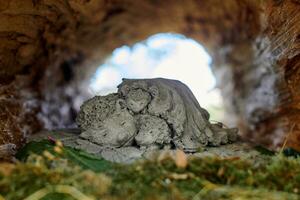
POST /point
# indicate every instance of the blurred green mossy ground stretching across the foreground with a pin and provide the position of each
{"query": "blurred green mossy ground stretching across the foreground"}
(55, 172)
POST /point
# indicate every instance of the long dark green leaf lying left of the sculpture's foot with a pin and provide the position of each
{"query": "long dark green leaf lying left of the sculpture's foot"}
(79, 157)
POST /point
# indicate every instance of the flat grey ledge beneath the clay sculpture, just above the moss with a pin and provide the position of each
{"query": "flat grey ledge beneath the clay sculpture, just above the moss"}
(69, 137)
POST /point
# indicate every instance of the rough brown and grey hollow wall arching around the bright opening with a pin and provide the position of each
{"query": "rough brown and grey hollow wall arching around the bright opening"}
(49, 48)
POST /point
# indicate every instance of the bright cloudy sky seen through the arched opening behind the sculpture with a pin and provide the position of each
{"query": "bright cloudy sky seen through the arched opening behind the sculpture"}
(162, 55)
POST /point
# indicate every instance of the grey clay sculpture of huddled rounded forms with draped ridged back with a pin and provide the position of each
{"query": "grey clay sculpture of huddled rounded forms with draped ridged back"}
(147, 114)
